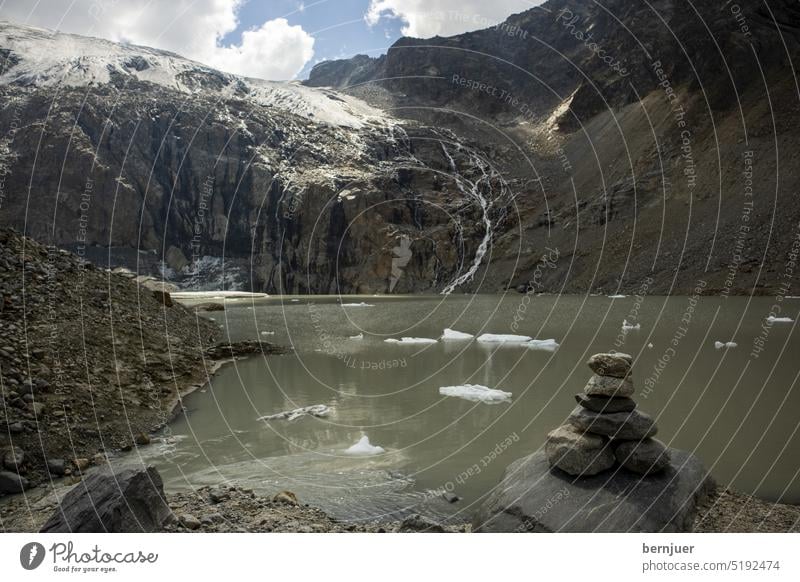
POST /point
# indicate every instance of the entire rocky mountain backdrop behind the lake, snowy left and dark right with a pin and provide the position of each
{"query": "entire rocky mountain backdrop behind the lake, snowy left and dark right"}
(579, 146)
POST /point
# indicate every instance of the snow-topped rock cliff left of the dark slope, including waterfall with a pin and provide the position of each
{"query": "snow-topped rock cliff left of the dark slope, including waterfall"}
(137, 157)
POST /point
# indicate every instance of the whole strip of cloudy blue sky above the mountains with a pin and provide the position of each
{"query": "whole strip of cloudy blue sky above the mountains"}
(268, 39)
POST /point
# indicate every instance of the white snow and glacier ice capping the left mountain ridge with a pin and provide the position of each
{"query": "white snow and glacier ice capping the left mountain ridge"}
(44, 58)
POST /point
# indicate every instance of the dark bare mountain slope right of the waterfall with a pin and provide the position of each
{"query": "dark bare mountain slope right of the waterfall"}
(651, 139)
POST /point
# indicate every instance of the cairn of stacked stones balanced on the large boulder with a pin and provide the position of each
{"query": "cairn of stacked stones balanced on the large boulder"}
(606, 429)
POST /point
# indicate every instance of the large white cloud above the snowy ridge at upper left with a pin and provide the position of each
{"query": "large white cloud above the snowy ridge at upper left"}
(192, 28)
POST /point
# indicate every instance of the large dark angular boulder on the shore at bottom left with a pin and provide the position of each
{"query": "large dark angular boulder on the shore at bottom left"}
(130, 500)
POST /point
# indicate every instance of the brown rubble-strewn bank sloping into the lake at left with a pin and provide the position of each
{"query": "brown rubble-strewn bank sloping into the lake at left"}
(89, 360)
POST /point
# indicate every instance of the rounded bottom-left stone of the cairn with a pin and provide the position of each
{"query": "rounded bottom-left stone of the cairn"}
(577, 453)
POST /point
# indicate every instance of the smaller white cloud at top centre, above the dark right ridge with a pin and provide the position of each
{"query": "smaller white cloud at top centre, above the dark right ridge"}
(427, 18)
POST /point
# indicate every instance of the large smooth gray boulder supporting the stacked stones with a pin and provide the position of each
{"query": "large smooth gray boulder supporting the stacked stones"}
(533, 497)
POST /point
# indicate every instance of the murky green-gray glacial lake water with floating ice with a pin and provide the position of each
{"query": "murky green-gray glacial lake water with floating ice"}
(738, 408)
